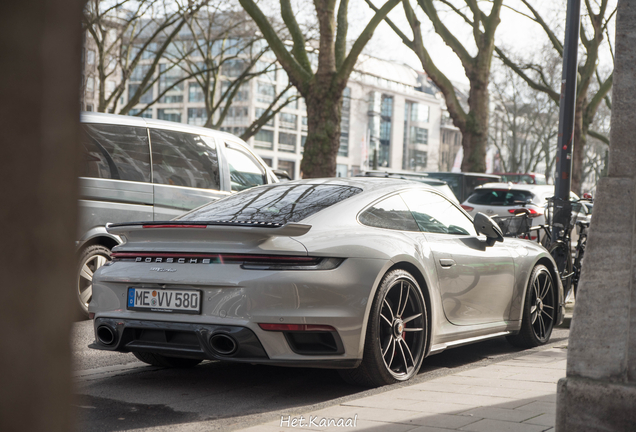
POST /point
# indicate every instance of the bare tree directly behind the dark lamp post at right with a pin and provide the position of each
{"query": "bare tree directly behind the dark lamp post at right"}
(593, 87)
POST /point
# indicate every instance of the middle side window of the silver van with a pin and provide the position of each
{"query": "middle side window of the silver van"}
(183, 159)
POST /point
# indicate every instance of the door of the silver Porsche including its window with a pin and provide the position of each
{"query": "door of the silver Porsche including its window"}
(475, 281)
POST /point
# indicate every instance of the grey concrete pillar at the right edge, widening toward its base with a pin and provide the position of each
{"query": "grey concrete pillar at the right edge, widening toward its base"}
(599, 392)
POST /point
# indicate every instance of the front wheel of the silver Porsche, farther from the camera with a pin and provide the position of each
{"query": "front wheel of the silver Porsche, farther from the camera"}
(539, 310)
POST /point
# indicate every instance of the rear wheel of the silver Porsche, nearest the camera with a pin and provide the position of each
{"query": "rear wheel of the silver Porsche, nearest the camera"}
(396, 336)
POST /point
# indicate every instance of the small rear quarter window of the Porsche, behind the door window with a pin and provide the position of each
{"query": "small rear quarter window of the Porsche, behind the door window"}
(390, 213)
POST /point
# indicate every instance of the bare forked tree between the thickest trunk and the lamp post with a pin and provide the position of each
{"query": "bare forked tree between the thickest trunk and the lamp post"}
(473, 122)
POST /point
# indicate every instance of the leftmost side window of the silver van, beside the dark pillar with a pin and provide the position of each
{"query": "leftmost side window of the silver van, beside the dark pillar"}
(115, 152)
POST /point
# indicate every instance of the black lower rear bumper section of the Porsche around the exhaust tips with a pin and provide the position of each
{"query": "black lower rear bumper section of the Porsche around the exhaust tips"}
(192, 340)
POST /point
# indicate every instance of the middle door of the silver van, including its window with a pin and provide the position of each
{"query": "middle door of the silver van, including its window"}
(186, 174)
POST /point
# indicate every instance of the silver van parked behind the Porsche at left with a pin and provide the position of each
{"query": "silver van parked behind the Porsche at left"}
(136, 169)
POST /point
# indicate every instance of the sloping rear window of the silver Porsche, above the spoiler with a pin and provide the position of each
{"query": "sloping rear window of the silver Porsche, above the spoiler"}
(279, 204)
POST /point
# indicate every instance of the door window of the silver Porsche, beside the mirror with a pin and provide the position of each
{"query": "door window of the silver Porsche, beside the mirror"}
(435, 214)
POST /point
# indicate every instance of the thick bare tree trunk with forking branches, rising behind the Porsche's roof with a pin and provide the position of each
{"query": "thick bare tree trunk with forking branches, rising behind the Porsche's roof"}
(321, 84)
